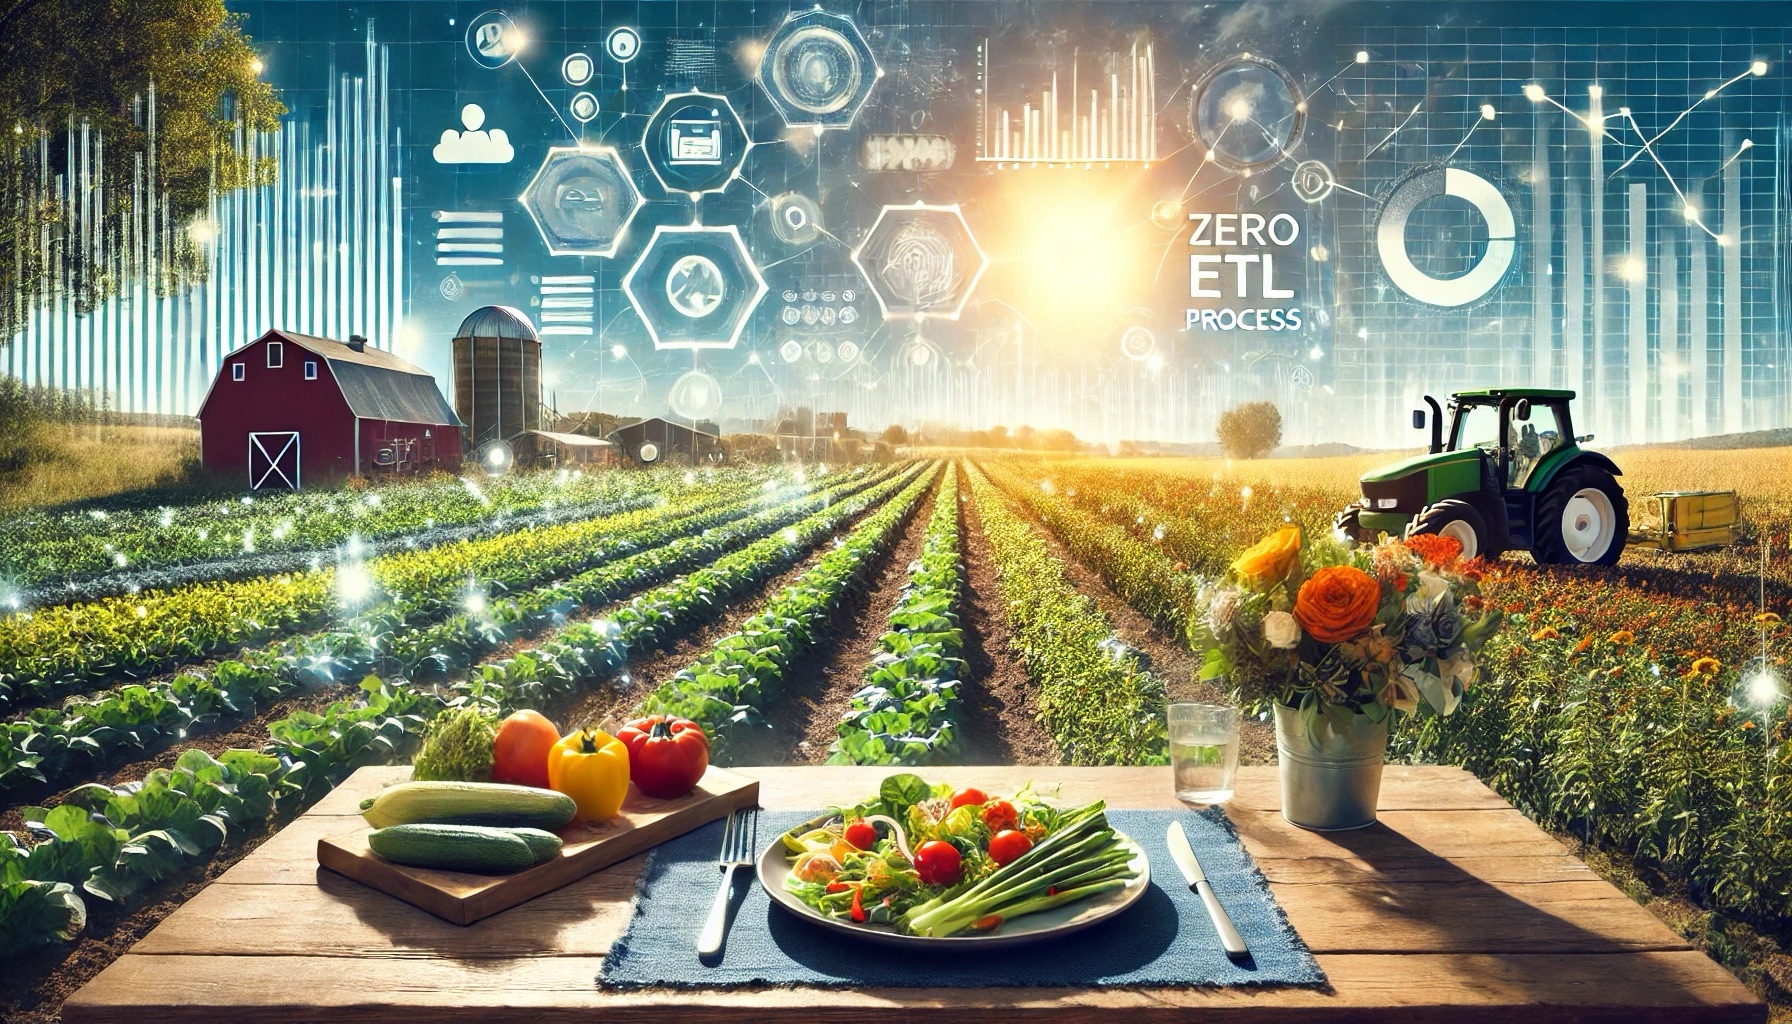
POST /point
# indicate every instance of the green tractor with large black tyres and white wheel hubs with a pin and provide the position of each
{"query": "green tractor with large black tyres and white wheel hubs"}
(1513, 474)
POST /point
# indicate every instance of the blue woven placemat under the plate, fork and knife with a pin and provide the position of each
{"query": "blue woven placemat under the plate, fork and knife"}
(1164, 941)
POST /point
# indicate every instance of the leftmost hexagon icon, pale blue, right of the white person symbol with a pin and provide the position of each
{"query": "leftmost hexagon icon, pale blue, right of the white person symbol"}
(582, 200)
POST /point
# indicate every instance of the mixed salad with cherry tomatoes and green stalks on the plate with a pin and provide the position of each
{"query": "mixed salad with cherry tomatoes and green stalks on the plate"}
(933, 862)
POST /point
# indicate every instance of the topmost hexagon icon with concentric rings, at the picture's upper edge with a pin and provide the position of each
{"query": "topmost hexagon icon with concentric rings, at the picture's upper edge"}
(818, 71)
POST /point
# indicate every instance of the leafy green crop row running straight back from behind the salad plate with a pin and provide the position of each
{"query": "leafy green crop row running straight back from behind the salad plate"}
(908, 713)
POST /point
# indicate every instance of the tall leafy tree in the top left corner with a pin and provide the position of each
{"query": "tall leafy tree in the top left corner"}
(64, 62)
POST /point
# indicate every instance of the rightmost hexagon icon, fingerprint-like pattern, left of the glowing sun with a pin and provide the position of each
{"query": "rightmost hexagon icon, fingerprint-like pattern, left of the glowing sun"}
(922, 261)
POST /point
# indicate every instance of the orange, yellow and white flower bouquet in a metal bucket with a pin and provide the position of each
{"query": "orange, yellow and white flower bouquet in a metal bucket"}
(1334, 639)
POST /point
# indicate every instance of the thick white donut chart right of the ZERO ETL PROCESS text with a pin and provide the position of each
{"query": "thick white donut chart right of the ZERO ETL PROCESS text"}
(1494, 265)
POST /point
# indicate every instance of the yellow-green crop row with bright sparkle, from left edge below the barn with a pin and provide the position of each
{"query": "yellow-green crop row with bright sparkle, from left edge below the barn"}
(62, 650)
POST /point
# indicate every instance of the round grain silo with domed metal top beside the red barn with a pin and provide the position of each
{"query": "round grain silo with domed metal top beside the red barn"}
(497, 376)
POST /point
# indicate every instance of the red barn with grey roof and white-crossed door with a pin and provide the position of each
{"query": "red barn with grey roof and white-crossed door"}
(293, 408)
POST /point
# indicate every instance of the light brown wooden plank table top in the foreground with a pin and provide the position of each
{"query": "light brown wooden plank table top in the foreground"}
(1454, 908)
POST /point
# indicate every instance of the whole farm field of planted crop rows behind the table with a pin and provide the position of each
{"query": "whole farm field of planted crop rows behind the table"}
(961, 611)
